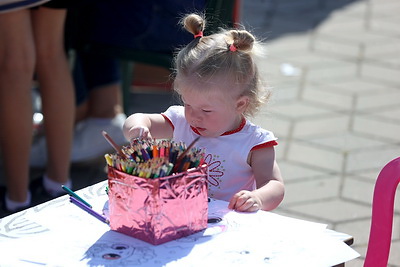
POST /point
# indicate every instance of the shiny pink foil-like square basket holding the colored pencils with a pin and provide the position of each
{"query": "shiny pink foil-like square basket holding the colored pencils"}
(158, 210)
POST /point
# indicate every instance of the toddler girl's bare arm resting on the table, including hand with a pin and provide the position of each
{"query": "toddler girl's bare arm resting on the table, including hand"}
(270, 188)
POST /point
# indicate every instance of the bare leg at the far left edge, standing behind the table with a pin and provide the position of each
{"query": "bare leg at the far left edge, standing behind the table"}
(17, 60)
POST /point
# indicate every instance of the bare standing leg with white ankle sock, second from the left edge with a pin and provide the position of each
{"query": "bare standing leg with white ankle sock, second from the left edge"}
(57, 92)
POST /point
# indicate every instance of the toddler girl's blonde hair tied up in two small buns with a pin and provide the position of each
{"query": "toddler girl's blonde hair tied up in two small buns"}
(228, 52)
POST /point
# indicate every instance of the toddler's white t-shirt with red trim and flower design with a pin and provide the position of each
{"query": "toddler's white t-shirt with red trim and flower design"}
(226, 155)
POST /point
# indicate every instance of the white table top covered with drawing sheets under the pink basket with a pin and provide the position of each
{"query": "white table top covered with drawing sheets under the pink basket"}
(58, 233)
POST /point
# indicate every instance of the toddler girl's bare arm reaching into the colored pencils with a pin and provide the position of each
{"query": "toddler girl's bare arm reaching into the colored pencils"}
(141, 125)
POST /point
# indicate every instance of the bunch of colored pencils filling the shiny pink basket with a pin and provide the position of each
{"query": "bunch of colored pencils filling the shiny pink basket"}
(153, 159)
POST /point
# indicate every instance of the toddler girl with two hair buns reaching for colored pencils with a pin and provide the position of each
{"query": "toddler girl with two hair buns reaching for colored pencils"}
(219, 84)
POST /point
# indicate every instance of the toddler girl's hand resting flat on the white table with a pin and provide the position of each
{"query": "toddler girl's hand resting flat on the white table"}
(245, 201)
